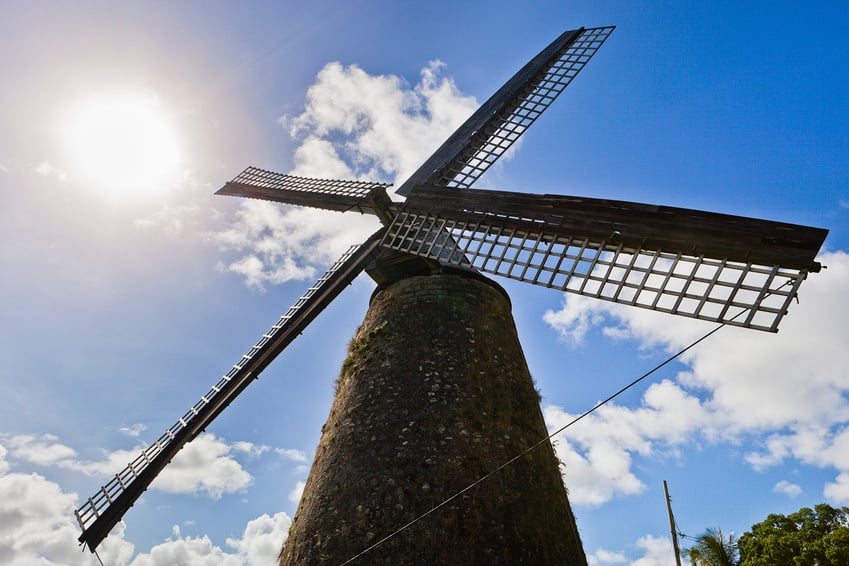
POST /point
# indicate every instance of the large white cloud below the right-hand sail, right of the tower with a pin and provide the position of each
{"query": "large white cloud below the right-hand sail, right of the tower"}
(792, 387)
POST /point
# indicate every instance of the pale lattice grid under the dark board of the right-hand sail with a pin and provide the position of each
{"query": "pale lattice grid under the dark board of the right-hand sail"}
(718, 290)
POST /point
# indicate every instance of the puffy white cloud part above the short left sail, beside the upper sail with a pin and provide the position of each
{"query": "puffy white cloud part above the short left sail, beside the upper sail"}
(381, 126)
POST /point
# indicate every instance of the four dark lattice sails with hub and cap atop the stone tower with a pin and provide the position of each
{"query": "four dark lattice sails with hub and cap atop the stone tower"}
(725, 269)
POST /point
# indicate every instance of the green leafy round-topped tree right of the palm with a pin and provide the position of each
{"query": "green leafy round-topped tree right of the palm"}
(819, 536)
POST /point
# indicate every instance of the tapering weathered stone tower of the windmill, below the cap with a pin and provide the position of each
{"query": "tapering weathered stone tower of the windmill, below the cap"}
(435, 393)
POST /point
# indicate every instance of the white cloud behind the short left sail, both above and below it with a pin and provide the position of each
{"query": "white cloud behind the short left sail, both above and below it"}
(354, 125)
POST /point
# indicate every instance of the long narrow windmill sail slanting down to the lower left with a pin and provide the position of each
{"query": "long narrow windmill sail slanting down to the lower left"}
(99, 514)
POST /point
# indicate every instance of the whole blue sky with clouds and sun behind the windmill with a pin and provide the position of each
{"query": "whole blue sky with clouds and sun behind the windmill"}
(127, 289)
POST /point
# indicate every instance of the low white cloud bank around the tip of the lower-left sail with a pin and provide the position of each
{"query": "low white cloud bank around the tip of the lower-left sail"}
(37, 514)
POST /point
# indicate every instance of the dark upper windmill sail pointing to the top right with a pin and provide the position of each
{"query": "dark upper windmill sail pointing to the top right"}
(499, 122)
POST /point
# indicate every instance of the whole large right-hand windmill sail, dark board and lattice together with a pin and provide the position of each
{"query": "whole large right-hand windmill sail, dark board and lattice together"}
(716, 267)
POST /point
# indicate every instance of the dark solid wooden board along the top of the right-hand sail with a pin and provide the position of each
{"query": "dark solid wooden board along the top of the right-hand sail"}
(670, 229)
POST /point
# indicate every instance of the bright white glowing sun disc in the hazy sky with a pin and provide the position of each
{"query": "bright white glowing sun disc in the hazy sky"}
(122, 145)
